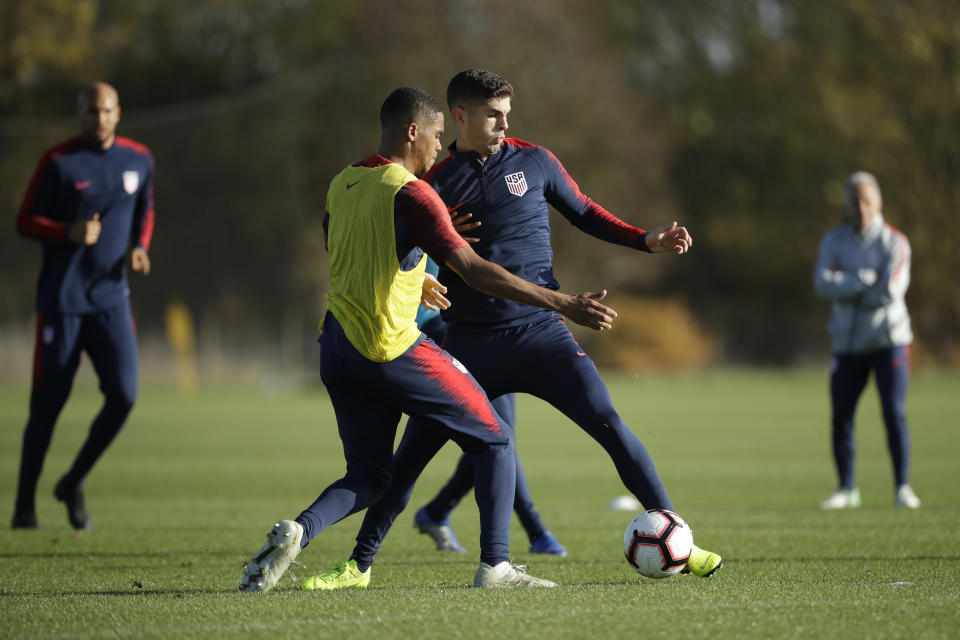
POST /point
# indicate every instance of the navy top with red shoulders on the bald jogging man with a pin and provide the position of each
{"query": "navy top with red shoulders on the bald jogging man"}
(73, 181)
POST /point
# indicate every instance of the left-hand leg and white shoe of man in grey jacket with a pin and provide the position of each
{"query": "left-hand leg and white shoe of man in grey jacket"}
(848, 378)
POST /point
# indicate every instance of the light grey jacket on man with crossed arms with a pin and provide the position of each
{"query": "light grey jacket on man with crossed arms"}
(865, 274)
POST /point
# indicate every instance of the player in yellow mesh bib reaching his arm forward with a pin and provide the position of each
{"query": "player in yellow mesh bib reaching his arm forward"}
(377, 365)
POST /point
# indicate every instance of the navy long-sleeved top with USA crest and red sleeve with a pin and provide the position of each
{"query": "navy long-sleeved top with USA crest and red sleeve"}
(509, 194)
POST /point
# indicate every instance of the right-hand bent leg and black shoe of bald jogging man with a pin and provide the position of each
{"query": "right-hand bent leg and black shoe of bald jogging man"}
(109, 339)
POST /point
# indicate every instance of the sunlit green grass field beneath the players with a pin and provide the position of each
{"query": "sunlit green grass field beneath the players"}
(188, 491)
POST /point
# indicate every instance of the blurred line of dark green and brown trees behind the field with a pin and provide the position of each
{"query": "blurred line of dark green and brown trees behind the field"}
(740, 119)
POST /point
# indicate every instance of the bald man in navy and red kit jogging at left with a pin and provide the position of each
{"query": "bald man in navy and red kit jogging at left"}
(89, 202)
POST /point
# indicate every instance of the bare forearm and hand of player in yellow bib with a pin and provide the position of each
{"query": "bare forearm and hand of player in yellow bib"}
(584, 309)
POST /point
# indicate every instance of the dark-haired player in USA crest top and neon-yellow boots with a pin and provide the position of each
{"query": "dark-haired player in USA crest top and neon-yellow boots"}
(507, 184)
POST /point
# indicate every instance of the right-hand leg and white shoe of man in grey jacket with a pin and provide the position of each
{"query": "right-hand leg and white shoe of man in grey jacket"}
(892, 370)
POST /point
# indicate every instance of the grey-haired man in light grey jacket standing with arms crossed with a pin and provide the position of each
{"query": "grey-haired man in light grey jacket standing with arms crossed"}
(863, 269)
